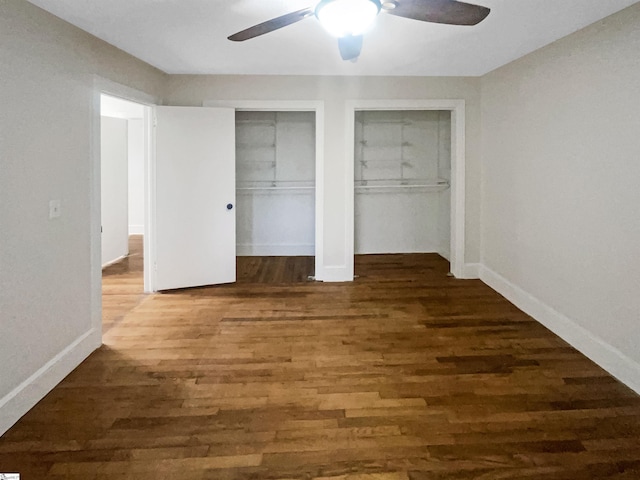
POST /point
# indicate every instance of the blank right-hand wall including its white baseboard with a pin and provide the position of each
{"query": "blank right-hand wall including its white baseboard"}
(561, 202)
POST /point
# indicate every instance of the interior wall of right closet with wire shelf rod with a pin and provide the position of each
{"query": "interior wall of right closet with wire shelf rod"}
(402, 174)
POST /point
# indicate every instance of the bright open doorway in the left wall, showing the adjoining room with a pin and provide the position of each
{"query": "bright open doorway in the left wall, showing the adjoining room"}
(122, 194)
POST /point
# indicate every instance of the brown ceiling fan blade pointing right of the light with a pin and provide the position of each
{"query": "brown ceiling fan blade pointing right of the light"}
(450, 12)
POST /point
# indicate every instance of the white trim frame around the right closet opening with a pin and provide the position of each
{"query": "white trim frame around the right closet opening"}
(458, 156)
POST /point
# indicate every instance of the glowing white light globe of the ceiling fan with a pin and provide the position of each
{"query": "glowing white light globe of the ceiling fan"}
(347, 17)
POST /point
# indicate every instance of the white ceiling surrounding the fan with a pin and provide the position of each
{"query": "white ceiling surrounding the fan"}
(190, 36)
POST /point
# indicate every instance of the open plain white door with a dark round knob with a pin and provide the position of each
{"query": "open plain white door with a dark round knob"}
(195, 197)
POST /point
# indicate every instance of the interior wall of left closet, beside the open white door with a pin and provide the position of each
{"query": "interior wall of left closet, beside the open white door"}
(275, 179)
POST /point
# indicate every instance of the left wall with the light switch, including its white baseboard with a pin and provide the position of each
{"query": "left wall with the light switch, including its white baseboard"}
(47, 69)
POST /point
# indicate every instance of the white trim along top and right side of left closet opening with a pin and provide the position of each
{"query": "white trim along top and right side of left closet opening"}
(316, 106)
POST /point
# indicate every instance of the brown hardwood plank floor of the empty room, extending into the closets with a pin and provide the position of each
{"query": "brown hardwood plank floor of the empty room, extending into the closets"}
(403, 374)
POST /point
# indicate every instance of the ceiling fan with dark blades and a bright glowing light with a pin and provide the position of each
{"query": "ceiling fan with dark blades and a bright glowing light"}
(349, 19)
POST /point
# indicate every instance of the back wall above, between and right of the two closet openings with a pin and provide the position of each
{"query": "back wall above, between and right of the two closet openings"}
(335, 92)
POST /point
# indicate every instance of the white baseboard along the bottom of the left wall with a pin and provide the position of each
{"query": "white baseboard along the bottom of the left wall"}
(25, 396)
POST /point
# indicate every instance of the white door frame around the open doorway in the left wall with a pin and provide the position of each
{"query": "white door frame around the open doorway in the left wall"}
(105, 86)
